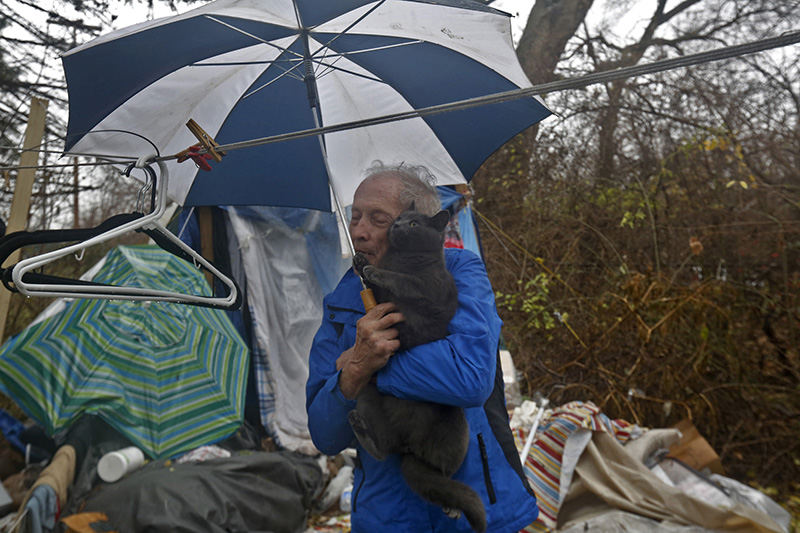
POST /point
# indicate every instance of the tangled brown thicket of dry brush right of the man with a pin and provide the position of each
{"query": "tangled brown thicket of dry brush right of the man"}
(661, 295)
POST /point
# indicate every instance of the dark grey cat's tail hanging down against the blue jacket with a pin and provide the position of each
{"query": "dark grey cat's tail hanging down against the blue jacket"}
(440, 490)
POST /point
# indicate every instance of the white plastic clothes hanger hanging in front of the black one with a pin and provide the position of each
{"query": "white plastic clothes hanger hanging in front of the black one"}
(148, 223)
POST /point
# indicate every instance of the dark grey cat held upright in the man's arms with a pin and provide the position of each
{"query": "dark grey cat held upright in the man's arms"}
(431, 438)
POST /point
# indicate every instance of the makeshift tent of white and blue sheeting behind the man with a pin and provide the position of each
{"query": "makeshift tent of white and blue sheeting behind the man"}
(285, 260)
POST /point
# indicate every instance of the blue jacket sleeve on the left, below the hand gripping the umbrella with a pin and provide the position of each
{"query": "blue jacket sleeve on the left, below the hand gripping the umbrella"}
(326, 406)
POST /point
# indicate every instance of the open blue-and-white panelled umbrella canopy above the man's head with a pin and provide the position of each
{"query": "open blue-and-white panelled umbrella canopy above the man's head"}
(247, 69)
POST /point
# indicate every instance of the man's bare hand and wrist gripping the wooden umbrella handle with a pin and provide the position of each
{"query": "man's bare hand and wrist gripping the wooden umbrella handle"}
(376, 342)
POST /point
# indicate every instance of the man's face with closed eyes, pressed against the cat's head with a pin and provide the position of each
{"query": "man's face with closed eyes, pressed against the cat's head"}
(375, 206)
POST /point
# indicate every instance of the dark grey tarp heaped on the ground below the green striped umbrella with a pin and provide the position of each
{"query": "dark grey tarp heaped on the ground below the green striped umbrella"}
(248, 492)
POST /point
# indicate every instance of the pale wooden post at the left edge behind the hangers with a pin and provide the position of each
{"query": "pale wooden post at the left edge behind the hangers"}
(20, 205)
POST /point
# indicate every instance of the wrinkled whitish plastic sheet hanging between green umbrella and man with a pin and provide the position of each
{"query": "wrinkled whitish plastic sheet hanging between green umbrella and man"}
(290, 259)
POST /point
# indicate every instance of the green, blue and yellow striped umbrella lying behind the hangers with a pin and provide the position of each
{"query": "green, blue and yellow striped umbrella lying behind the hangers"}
(168, 376)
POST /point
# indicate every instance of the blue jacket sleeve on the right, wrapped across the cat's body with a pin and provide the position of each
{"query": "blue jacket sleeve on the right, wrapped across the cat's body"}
(459, 369)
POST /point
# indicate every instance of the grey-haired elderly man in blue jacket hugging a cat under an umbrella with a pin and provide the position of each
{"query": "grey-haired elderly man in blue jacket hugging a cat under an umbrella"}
(351, 347)
